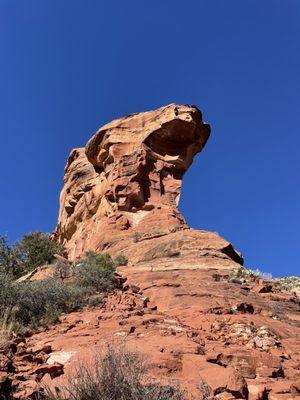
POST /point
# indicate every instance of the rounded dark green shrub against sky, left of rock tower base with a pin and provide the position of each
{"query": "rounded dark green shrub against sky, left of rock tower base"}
(37, 249)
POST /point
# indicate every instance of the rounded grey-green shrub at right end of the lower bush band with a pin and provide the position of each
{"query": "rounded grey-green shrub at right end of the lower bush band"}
(95, 271)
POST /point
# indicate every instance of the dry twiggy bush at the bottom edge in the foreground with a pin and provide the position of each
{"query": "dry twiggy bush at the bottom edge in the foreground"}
(119, 375)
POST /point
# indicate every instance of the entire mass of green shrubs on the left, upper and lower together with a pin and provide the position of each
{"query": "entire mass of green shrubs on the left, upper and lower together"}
(29, 304)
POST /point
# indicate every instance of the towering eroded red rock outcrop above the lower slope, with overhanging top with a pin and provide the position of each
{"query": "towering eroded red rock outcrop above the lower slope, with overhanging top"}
(121, 191)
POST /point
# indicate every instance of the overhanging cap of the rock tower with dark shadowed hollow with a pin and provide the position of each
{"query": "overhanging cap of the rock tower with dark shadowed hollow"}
(167, 133)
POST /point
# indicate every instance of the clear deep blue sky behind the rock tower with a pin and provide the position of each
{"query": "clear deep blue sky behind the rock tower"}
(69, 66)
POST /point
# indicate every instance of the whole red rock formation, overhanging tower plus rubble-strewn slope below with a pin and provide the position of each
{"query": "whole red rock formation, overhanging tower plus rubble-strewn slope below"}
(178, 305)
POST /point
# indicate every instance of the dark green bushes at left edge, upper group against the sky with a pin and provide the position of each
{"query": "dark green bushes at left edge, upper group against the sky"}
(32, 251)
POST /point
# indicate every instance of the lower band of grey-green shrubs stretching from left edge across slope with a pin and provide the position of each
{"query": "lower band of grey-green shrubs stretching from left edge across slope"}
(29, 304)
